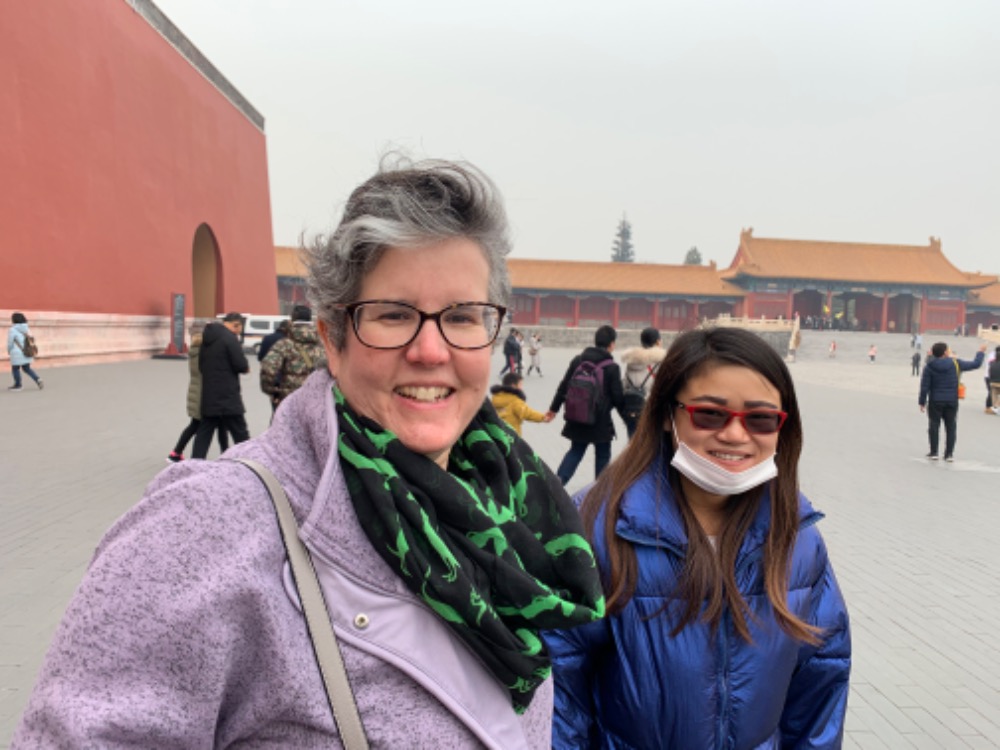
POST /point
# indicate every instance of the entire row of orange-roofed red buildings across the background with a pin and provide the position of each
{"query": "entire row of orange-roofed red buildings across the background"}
(903, 288)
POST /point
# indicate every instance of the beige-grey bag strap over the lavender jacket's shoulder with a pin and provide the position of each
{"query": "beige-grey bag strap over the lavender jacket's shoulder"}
(324, 641)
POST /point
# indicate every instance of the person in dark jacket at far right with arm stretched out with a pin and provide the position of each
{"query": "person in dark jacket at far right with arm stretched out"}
(939, 395)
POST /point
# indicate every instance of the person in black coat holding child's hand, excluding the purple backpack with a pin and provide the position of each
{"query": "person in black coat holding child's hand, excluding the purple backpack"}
(602, 432)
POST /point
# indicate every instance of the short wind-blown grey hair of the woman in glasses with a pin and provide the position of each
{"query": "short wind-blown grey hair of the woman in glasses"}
(408, 205)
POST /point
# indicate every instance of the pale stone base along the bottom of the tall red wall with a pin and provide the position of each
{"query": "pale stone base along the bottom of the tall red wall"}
(90, 338)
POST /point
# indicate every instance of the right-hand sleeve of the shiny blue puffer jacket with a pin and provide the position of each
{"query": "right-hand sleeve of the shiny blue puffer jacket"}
(813, 717)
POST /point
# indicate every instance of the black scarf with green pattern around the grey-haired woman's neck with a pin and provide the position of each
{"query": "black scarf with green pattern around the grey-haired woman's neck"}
(494, 545)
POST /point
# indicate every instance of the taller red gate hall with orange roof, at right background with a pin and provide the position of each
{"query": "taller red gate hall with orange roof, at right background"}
(905, 288)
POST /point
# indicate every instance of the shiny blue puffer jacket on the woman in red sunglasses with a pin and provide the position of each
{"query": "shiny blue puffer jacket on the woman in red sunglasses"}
(625, 682)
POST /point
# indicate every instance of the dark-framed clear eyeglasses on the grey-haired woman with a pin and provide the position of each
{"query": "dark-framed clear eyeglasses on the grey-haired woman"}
(387, 324)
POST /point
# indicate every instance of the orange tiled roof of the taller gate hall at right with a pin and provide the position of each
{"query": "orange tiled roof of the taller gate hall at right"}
(762, 257)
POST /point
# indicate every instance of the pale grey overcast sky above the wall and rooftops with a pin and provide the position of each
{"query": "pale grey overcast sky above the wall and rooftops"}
(855, 120)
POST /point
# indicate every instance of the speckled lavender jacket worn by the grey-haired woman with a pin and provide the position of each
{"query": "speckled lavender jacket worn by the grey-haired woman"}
(186, 630)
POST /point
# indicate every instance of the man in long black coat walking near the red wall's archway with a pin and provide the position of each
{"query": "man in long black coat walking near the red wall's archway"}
(221, 362)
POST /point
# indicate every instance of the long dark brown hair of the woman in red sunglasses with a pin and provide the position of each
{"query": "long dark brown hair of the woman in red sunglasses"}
(709, 576)
